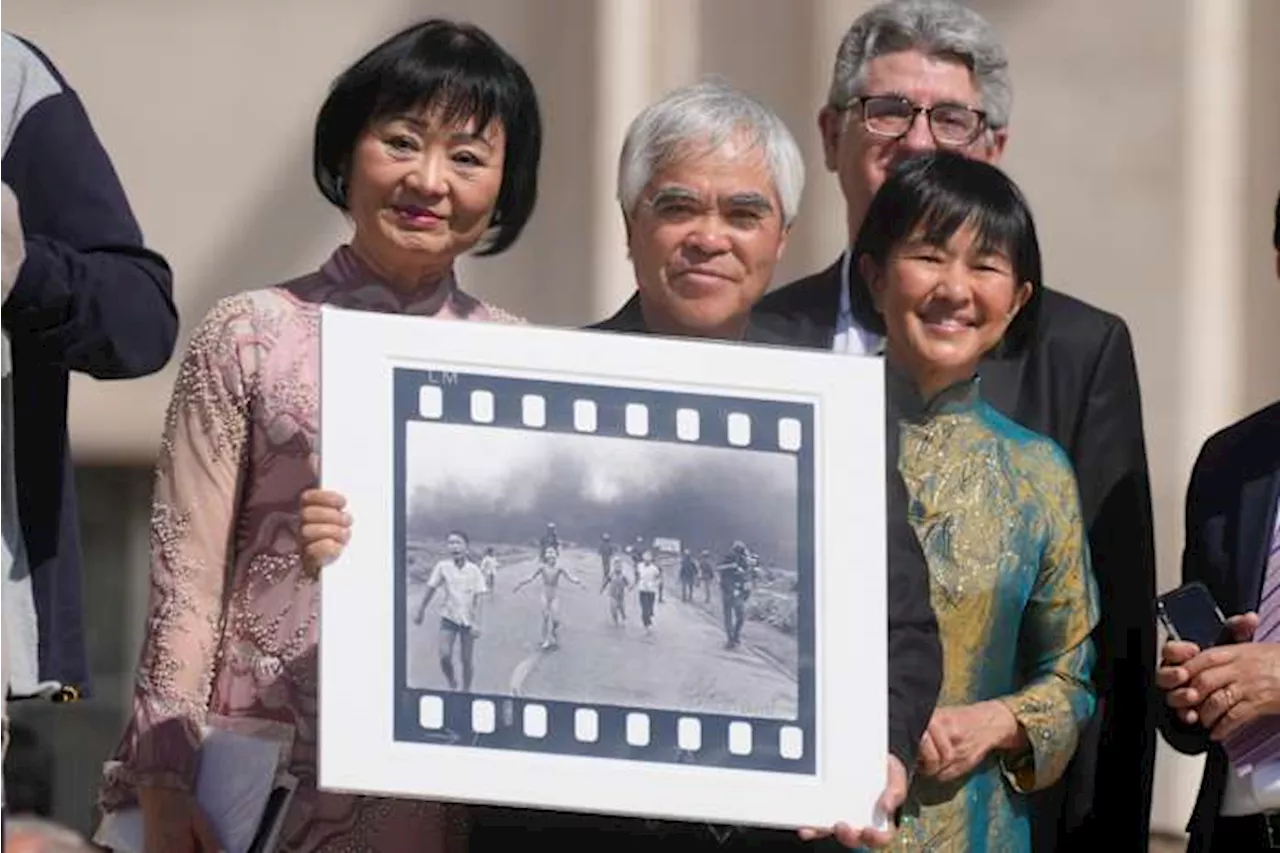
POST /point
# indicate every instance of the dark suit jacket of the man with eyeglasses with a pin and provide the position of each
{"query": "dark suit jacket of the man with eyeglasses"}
(1071, 376)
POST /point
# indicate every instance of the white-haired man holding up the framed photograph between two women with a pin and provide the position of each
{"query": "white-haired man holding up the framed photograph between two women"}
(710, 183)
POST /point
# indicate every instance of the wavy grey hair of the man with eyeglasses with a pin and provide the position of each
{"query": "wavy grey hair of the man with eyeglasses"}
(941, 29)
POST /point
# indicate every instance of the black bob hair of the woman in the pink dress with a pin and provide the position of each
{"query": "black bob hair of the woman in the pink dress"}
(459, 70)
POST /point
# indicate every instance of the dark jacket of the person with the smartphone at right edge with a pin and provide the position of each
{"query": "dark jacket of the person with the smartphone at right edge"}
(1231, 508)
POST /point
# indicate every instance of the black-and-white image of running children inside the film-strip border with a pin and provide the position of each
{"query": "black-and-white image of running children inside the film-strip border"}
(604, 571)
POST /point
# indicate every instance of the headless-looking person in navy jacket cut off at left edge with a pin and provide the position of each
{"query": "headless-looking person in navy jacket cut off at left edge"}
(79, 293)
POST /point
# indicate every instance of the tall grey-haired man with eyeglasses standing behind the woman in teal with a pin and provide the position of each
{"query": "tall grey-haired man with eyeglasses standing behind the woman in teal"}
(920, 75)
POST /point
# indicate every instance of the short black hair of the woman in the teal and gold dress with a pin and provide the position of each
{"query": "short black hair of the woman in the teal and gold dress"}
(935, 195)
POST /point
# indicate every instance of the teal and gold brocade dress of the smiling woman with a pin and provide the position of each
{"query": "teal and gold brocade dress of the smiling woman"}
(998, 514)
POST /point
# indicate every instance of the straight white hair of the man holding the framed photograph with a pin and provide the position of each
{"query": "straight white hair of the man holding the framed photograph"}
(700, 118)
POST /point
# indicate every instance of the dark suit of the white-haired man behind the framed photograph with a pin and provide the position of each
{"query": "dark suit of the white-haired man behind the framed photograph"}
(915, 681)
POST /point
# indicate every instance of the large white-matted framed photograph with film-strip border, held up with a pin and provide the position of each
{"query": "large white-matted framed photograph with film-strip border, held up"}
(604, 573)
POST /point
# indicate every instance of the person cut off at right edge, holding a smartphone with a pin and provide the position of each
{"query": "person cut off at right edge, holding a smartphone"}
(1226, 703)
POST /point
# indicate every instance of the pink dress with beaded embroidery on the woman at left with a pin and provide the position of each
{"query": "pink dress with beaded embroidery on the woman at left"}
(232, 618)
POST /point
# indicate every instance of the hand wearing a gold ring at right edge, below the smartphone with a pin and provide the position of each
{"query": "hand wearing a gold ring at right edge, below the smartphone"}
(1235, 686)
